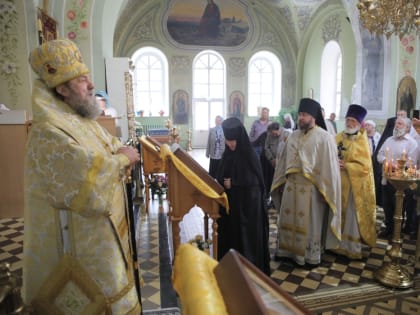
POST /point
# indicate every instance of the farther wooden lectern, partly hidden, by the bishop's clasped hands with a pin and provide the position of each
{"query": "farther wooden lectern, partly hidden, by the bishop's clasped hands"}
(152, 162)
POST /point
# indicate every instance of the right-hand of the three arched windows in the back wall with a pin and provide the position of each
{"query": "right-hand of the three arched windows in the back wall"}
(264, 83)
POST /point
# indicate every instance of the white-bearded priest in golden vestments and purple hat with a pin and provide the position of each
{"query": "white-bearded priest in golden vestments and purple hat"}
(358, 204)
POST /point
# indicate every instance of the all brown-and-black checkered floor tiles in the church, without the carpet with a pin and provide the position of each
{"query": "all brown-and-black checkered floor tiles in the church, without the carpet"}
(154, 250)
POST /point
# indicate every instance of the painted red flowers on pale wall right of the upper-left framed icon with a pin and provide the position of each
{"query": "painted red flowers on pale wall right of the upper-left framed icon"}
(77, 20)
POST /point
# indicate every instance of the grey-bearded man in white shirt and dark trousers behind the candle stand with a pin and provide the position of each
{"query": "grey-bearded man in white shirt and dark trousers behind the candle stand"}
(400, 144)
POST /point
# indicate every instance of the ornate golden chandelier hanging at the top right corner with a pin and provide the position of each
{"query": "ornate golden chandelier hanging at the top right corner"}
(387, 17)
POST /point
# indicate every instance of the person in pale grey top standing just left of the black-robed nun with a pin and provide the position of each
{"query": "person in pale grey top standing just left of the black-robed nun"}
(215, 145)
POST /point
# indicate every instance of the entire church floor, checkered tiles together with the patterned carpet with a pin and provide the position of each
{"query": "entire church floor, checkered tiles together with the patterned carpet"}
(311, 286)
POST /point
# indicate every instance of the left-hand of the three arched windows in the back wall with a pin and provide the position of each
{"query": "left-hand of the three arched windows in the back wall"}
(150, 82)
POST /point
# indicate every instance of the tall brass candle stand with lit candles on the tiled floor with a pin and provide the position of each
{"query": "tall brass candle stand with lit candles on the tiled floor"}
(392, 273)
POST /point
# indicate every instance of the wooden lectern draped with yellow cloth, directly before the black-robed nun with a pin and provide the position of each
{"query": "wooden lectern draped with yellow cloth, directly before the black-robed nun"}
(189, 185)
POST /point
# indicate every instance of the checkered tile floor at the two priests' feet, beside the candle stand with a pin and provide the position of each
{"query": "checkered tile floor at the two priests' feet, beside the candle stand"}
(335, 270)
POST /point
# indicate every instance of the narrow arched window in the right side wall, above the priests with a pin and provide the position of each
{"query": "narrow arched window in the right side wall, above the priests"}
(331, 76)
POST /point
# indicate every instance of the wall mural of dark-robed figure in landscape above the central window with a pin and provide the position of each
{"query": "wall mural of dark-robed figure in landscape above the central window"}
(208, 22)
